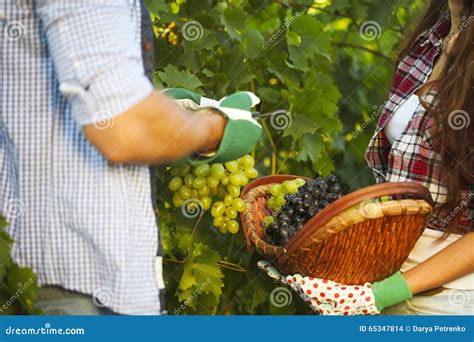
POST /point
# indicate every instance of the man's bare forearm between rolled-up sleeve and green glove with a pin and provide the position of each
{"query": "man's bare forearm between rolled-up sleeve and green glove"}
(154, 131)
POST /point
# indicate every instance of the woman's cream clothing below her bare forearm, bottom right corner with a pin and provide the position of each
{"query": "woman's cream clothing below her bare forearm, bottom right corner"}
(448, 302)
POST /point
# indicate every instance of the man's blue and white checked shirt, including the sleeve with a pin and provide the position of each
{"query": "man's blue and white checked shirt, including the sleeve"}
(80, 222)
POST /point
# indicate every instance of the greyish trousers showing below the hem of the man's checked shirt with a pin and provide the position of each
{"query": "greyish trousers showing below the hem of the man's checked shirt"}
(56, 301)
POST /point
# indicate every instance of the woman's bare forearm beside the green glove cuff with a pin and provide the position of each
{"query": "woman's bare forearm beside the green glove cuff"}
(453, 262)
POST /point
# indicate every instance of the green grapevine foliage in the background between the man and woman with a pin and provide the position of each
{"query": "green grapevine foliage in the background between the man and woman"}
(326, 65)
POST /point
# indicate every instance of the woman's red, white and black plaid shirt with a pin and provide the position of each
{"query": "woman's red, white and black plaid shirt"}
(415, 156)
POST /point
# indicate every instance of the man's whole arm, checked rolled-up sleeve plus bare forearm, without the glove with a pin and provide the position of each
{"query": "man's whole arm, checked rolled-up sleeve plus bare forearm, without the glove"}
(99, 66)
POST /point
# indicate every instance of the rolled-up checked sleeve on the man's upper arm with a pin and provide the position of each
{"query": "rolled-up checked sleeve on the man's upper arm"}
(96, 54)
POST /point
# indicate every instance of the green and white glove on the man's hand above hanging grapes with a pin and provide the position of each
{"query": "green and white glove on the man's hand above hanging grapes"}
(242, 131)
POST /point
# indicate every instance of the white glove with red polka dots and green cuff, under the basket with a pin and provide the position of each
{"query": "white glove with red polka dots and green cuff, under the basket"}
(330, 298)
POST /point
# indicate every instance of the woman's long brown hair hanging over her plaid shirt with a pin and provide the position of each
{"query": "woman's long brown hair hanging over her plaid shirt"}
(454, 104)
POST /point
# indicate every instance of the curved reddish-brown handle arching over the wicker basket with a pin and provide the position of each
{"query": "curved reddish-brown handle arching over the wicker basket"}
(374, 191)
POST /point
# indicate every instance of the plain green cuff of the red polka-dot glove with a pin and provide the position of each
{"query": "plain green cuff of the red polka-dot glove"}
(391, 291)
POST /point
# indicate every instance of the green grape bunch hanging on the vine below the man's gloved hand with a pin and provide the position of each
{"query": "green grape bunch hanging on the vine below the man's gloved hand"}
(213, 186)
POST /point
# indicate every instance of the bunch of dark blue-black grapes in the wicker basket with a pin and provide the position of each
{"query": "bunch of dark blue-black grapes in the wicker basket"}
(299, 207)
